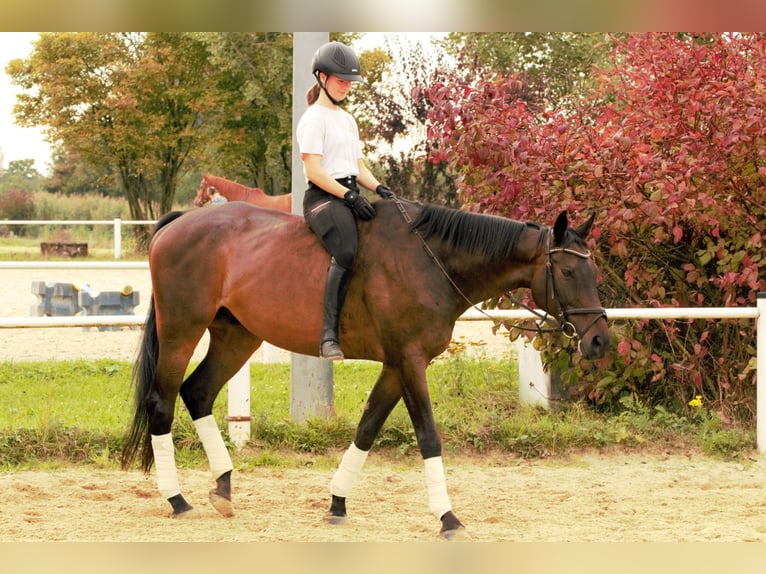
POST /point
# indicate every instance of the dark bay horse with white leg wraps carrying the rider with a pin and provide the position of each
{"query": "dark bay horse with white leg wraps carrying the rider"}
(232, 271)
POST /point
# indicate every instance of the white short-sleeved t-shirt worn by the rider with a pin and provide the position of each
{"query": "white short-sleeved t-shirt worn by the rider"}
(333, 134)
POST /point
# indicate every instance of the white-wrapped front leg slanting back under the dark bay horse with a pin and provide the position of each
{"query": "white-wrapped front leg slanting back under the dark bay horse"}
(383, 398)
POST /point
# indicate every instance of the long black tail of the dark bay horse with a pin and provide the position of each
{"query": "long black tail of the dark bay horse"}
(144, 372)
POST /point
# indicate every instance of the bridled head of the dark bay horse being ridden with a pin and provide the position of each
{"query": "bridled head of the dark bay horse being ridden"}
(566, 286)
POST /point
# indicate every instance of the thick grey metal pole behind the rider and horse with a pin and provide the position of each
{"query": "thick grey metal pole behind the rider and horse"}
(311, 378)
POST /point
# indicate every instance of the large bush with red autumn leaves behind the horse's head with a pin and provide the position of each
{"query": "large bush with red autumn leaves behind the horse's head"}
(670, 150)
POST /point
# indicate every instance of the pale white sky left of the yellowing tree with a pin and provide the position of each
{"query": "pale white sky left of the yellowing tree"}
(18, 143)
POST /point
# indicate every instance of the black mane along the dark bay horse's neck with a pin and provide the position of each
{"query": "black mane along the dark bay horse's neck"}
(490, 235)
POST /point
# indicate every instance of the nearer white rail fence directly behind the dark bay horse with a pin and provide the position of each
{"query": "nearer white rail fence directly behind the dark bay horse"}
(758, 313)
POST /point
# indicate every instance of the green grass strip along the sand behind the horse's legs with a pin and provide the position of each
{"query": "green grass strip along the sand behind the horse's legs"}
(78, 411)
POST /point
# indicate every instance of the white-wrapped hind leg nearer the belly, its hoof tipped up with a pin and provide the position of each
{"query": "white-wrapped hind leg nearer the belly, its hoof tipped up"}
(230, 347)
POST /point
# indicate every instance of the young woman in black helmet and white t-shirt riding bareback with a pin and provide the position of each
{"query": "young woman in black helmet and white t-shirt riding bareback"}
(328, 139)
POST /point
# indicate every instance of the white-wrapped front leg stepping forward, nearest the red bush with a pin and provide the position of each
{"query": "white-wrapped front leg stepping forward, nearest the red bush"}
(417, 400)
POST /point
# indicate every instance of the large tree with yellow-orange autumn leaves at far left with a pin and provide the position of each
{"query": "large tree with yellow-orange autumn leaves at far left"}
(135, 103)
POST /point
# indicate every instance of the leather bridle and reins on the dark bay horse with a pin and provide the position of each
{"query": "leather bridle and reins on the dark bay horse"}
(562, 322)
